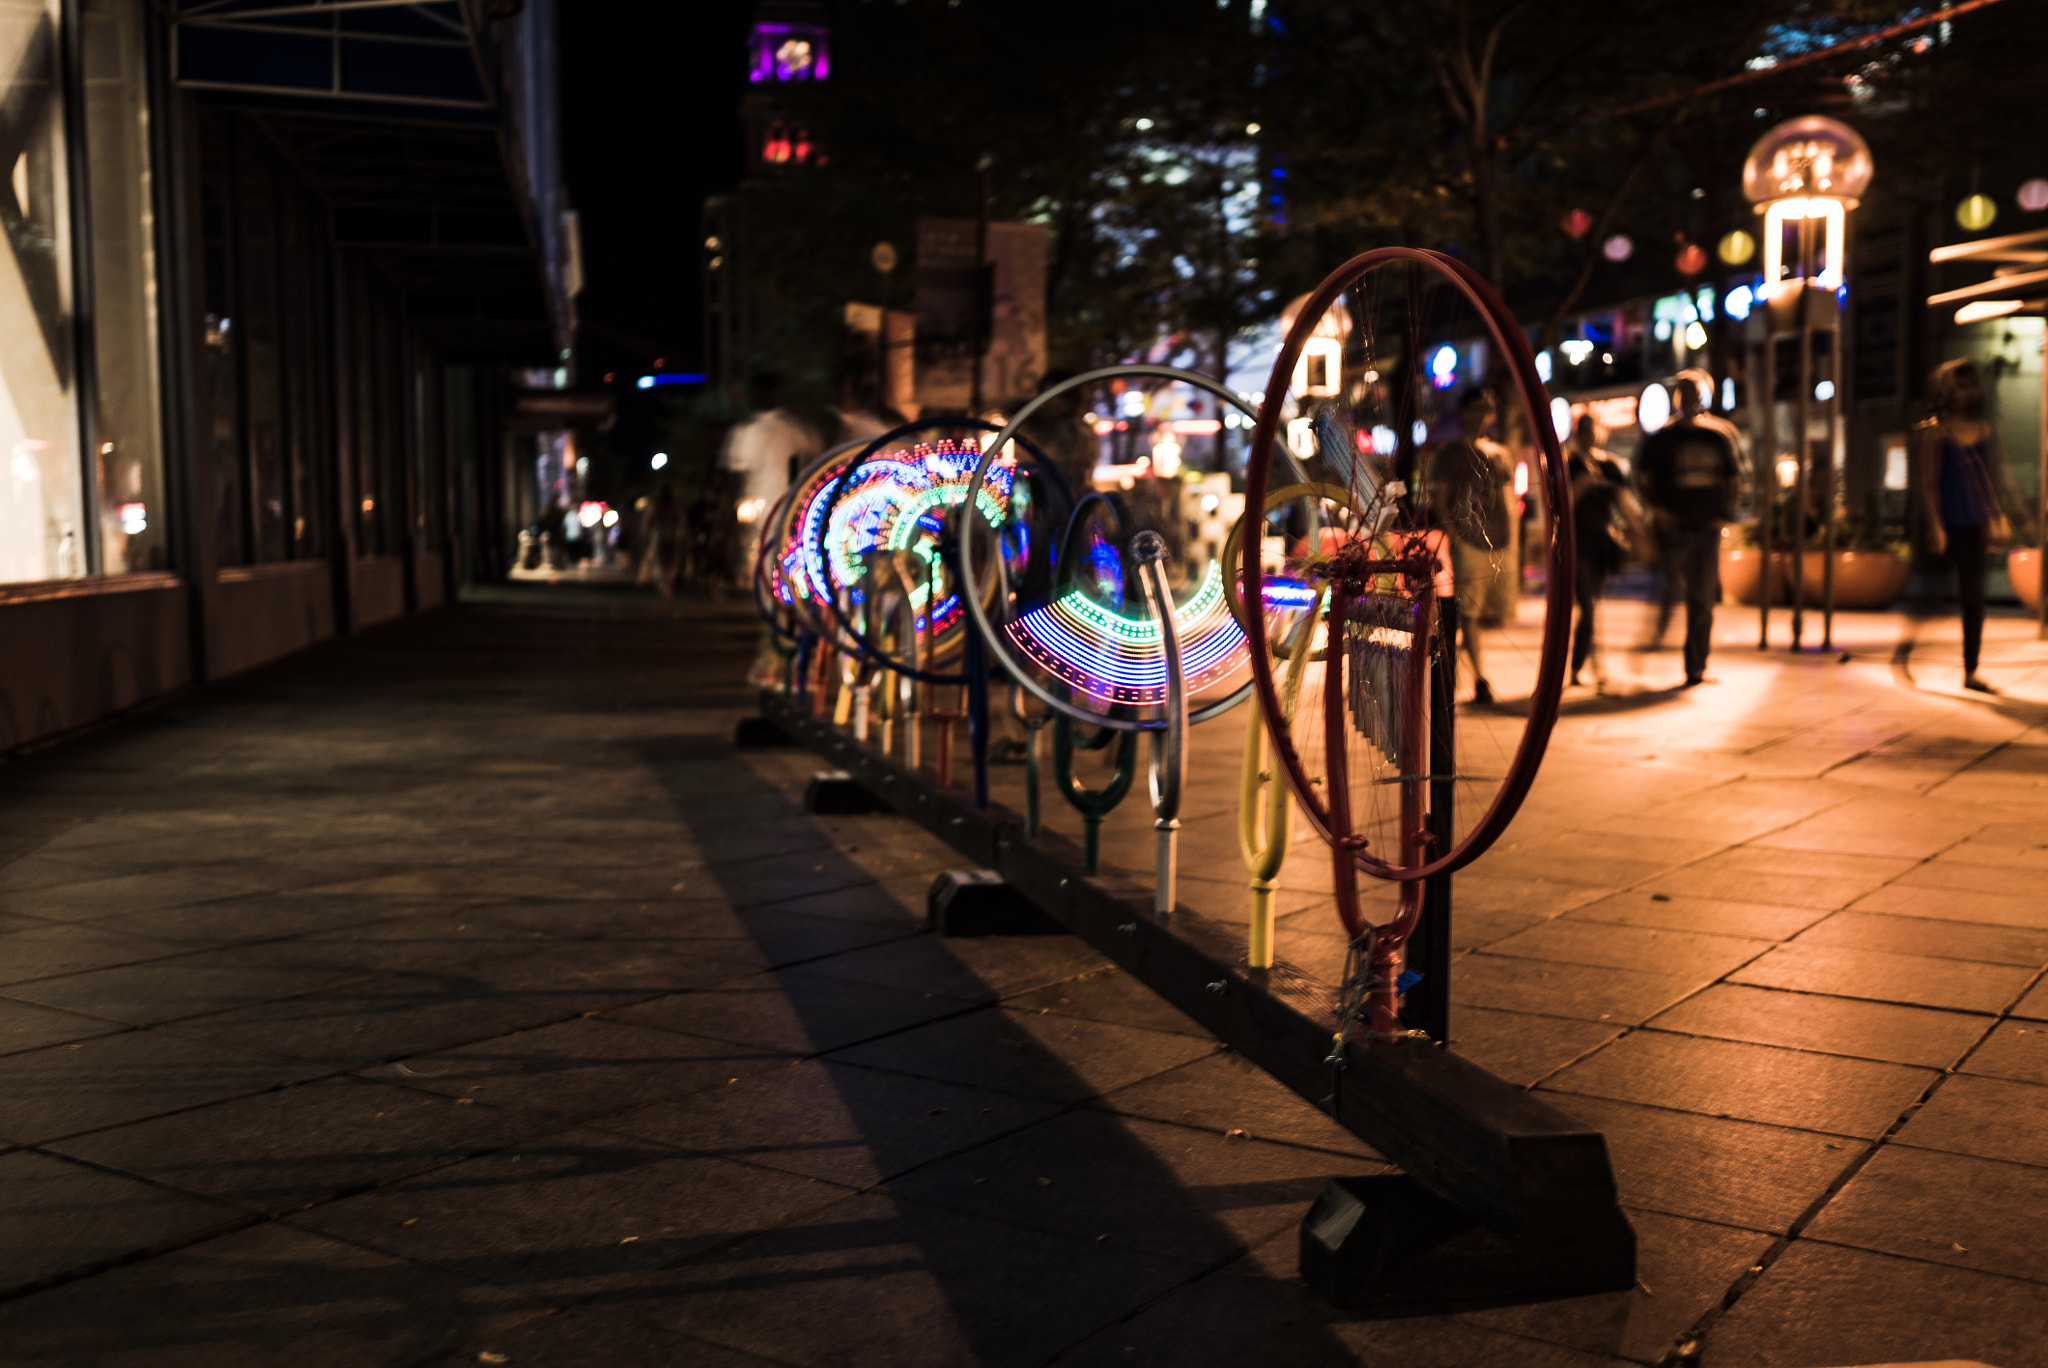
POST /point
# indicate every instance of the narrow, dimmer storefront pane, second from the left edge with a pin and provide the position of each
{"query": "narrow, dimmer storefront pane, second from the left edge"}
(130, 466)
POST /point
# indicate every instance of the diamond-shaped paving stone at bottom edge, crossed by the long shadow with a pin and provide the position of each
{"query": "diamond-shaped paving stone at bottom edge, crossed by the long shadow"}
(902, 1285)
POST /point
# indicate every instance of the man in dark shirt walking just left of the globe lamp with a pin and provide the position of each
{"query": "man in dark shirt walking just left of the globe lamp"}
(1691, 480)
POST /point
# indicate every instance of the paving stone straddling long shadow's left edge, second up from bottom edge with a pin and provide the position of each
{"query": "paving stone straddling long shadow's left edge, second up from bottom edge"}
(833, 1121)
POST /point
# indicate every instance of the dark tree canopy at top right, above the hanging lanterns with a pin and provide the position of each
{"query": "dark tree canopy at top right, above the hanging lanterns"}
(1482, 126)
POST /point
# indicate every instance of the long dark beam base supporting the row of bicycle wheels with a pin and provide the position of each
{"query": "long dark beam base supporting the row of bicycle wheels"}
(1502, 1197)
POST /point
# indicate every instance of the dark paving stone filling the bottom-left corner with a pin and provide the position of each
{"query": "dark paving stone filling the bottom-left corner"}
(259, 1297)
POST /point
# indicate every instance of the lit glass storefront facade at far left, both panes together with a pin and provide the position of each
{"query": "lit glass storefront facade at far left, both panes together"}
(79, 339)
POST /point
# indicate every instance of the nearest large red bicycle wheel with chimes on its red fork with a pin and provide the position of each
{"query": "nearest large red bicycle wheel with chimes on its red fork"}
(1418, 493)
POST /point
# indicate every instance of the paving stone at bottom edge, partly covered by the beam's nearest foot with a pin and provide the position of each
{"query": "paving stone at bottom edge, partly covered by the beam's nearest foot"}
(1682, 1271)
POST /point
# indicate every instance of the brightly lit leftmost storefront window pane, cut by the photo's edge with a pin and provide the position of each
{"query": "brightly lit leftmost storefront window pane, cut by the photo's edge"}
(42, 525)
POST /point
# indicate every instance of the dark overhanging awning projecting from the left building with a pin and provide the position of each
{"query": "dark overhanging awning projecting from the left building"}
(429, 130)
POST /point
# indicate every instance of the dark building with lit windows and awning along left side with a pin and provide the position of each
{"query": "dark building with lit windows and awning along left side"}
(271, 271)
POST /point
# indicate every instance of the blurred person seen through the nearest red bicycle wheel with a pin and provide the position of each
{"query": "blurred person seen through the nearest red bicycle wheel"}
(1474, 499)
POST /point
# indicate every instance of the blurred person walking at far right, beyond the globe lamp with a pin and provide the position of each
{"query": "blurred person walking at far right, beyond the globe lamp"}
(1963, 490)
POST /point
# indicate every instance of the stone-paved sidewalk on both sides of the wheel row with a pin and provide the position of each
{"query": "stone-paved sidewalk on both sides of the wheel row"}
(458, 994)
